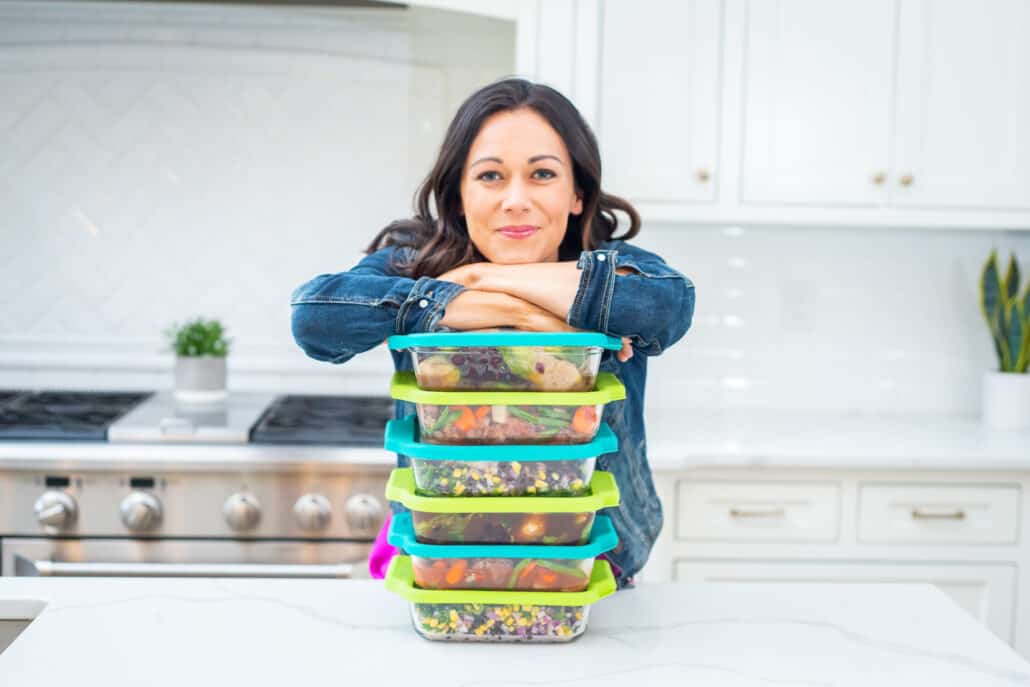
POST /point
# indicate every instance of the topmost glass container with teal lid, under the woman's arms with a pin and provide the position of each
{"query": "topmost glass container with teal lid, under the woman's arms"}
(506, 361)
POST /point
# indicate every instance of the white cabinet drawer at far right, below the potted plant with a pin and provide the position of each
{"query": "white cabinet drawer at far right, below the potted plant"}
(939, 514)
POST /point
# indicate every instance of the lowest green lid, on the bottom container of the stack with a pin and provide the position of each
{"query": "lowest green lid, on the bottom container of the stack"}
(401, 580)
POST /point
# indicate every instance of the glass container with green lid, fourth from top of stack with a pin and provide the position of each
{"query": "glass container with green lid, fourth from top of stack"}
(503, 520)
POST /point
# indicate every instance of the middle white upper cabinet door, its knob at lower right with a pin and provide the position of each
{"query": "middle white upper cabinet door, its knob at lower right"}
(817, 96)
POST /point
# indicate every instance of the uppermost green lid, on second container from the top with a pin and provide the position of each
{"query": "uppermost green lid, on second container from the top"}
(609, 389)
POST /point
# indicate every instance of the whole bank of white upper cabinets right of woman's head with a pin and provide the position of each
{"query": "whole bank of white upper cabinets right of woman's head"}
(881, 113)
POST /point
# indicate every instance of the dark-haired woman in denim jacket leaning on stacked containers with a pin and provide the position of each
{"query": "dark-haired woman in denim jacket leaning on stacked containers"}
(520, 234)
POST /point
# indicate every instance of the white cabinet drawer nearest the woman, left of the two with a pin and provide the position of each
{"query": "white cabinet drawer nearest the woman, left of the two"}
(765, 511)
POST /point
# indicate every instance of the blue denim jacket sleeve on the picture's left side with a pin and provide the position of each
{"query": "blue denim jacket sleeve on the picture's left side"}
(336, 317)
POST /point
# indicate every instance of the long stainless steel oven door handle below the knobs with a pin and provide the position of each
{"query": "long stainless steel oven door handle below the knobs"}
(26, 568)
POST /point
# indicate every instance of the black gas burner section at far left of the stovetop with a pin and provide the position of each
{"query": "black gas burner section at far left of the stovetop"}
(63, 416)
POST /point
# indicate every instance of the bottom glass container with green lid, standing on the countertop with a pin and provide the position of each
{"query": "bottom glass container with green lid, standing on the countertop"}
(476, 615)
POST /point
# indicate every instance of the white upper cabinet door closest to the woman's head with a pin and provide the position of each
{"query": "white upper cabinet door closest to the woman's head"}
(660, 99)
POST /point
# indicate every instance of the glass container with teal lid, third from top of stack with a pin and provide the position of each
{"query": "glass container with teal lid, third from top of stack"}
(499, 470)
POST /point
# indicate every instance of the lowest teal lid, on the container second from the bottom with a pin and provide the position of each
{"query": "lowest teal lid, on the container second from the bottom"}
(603, 539)
